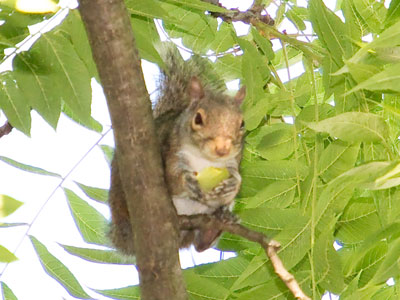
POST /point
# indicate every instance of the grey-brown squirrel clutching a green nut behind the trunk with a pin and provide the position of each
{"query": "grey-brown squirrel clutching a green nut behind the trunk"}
(198, 126)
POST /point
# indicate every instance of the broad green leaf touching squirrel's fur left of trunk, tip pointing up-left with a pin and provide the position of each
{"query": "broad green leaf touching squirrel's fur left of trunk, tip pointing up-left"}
(91, 224)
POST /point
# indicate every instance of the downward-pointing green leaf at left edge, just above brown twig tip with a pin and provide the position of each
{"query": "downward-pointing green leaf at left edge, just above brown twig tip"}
(14, 103)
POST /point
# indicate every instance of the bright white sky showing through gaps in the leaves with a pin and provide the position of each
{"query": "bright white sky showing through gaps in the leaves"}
(58, 151)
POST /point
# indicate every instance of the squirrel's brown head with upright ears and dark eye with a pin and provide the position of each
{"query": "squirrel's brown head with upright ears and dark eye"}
(216, 123)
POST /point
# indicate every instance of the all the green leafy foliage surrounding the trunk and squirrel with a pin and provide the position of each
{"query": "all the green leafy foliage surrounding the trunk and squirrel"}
(320, 163)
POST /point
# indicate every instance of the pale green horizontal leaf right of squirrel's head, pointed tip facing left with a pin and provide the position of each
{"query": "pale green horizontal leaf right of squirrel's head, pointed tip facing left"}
(354, 127)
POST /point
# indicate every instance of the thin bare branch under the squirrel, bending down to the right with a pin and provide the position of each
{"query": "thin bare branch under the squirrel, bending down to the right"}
(271, 247)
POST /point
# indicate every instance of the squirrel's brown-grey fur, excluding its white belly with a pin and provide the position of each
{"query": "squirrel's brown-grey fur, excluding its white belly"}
(203, 118)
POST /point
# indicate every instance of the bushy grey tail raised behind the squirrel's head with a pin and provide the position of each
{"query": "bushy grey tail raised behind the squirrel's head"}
(175, 76)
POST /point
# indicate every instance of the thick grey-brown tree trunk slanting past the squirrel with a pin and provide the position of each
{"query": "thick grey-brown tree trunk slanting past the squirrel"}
(153, 218)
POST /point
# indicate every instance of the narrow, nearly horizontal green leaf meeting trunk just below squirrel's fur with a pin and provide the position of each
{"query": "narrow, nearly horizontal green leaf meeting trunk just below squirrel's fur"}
(99, 256)
